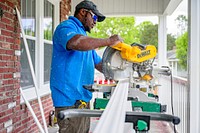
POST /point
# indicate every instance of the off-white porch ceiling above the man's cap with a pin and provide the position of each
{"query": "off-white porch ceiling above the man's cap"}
(134, 7)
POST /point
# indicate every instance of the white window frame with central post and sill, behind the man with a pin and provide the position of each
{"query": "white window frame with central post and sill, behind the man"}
(43, 88)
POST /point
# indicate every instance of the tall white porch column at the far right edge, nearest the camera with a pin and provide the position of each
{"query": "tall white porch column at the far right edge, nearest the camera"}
(194, 65)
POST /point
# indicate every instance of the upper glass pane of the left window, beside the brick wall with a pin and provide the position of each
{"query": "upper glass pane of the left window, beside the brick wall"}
(28, 16)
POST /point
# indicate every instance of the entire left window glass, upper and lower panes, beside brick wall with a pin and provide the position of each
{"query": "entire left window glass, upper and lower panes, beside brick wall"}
(28, 18)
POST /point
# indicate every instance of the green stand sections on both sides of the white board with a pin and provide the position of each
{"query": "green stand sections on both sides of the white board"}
(100, 103)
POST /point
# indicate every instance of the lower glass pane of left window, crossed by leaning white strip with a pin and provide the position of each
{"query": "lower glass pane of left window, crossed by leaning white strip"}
(26, 77)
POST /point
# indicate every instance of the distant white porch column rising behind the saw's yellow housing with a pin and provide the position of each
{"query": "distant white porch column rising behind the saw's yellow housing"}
(162, 41)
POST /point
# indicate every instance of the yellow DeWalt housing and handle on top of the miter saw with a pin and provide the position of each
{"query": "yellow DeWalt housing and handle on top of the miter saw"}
(137, 53)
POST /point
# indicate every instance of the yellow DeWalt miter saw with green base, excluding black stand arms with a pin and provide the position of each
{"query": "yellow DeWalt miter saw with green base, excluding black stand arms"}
(134, 62)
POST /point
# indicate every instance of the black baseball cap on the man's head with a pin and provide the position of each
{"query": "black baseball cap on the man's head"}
(86, 4)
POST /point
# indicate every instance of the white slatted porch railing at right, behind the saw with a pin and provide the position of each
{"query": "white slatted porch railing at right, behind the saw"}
(178, 97)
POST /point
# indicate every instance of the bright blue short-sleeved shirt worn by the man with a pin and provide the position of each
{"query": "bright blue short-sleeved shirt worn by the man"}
(71, 69)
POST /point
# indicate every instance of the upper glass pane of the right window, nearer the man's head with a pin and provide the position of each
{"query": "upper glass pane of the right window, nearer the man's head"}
(48, 20)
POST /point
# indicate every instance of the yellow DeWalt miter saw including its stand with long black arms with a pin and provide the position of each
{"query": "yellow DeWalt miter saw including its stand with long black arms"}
(134, 62)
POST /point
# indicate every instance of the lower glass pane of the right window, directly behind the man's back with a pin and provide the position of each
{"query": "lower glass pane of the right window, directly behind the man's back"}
(47, 61)
